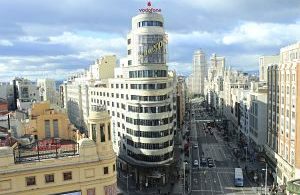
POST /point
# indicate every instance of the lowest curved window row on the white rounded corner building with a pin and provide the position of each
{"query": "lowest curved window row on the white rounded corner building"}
(150, 158)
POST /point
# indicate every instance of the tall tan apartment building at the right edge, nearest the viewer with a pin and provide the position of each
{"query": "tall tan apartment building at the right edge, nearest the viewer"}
(282, 146)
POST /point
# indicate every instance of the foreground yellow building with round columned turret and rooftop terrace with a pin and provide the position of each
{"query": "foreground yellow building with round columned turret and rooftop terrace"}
(86, 168)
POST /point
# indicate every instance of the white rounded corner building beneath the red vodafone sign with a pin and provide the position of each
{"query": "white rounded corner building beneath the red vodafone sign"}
(141, 98)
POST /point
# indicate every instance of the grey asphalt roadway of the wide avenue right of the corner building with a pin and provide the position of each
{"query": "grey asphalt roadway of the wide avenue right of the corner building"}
(219, 179)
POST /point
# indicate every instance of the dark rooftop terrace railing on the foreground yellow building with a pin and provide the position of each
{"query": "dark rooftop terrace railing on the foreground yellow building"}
(39, 151)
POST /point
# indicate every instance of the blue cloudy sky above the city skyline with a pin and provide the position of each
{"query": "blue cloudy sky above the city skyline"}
(53, 38)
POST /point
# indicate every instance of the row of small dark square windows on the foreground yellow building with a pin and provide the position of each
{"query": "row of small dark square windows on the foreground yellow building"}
(49, 178)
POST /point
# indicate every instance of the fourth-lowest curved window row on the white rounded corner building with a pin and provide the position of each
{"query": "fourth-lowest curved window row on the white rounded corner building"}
(151, 122)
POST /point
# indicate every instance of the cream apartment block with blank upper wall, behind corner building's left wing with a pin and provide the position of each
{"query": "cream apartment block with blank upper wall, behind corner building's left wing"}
(74, 95)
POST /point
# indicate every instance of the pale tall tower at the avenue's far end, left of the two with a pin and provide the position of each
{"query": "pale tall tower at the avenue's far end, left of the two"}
(199, 72)
